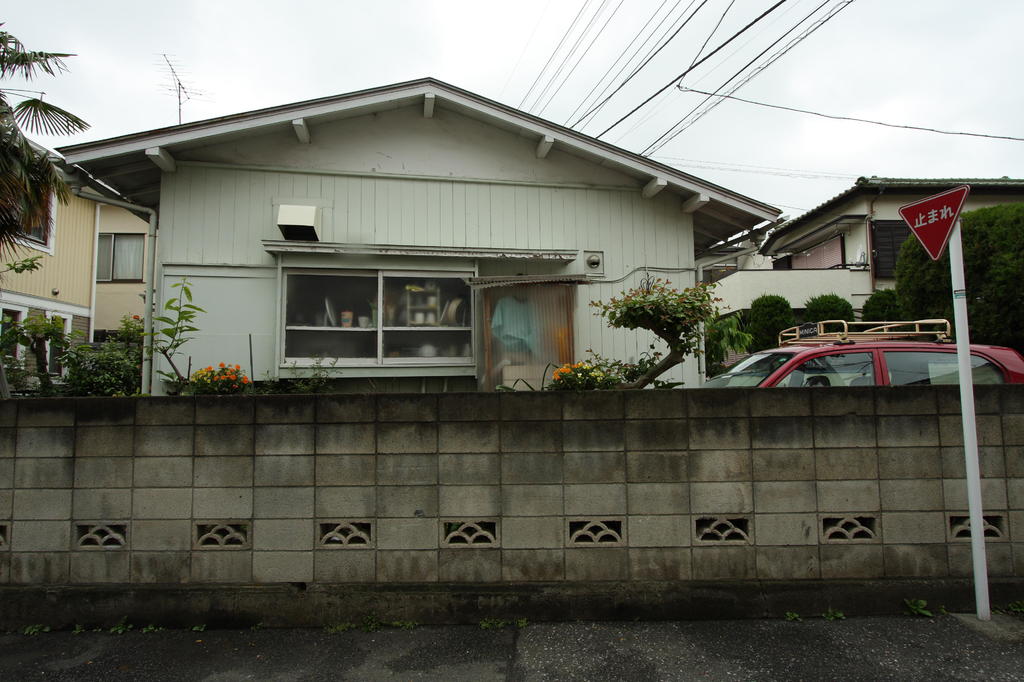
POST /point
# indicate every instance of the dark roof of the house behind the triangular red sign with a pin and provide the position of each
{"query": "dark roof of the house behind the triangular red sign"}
(879, 186)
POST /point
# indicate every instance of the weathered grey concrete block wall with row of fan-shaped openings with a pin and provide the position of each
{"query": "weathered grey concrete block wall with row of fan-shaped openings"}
(785, 485)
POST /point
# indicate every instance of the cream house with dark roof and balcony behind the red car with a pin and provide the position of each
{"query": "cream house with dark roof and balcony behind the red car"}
(848, 245)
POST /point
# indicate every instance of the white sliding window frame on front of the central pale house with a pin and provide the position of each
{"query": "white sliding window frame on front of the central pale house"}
(379, 363)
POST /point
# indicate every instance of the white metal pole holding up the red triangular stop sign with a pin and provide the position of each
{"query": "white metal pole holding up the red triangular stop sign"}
(970, 427)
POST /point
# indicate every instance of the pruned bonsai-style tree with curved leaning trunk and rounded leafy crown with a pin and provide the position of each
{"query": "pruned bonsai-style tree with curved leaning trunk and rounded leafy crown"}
(675, 317)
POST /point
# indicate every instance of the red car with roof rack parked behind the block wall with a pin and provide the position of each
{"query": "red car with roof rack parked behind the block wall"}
(870, 355)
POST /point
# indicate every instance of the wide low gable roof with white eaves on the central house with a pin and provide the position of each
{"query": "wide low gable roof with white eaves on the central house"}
(123, 164)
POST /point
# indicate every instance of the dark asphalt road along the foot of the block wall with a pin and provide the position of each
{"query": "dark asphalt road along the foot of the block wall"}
(858, 649)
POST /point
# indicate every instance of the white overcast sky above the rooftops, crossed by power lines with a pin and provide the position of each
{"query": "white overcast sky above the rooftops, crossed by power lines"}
(940, 64)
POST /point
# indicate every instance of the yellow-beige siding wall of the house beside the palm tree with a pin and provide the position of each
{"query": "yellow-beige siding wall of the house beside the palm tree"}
(67, 265)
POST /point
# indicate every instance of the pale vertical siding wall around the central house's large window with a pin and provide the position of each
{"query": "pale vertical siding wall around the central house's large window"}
(217, 217)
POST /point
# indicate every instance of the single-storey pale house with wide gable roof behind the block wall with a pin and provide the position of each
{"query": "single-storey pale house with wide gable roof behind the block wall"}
(410, 237)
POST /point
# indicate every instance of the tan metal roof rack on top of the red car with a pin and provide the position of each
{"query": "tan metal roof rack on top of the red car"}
(843, 332)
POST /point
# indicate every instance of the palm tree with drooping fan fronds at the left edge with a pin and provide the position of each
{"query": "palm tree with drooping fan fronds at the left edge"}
(29, 178)
